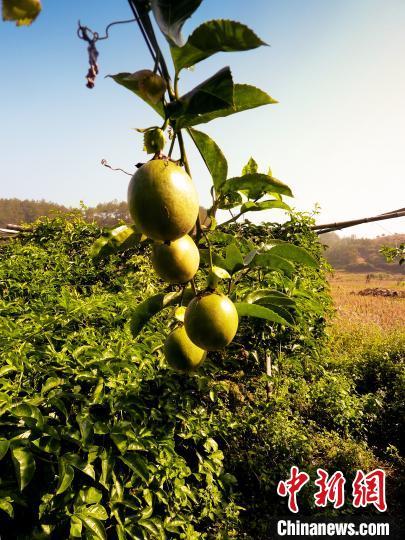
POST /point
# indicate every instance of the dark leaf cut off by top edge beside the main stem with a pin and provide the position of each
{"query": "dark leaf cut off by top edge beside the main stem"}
(171, 15)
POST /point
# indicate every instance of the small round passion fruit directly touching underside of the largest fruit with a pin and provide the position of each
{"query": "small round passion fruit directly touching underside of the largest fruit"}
(176, 261)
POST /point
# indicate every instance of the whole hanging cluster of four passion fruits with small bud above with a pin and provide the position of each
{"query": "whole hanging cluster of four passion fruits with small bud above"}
(163, 203)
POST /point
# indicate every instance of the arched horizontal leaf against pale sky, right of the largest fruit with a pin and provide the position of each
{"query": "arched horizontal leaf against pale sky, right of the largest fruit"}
(256, 185)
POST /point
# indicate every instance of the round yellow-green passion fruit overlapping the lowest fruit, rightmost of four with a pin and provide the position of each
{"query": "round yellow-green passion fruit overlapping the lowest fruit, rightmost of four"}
(211, 321)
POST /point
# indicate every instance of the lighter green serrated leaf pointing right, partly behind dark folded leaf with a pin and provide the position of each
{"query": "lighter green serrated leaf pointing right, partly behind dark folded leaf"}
(245, 97)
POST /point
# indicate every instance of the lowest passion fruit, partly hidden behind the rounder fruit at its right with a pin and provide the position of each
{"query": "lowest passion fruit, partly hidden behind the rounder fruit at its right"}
(181, 353)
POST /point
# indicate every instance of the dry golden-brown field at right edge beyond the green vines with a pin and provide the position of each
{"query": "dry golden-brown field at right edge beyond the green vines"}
(352, 309)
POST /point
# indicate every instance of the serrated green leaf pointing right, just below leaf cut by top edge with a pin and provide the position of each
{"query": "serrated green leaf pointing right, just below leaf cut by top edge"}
(212, 37)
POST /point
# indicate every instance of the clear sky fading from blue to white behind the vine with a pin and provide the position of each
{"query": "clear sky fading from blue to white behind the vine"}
(336, 137)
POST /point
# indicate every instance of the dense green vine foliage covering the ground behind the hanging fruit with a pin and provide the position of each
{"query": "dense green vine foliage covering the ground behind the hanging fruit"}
(117, 437)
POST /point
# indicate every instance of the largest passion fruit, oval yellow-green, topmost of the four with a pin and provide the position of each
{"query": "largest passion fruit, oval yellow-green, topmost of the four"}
(162, 200)
